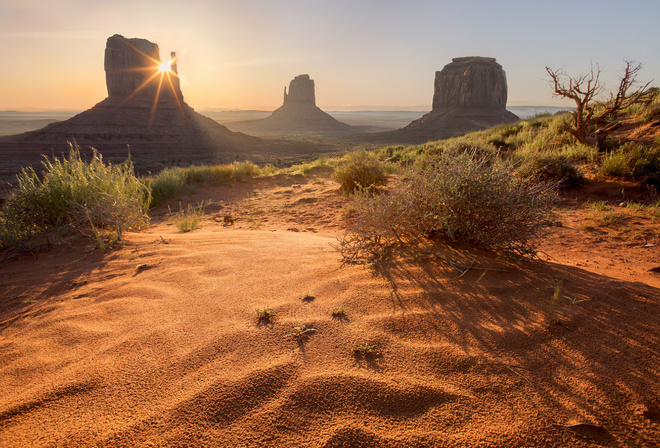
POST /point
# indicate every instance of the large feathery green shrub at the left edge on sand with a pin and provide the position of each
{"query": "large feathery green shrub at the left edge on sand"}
(87, 196)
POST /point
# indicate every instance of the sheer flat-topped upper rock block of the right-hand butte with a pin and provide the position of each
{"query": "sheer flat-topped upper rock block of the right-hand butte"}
(471, 82)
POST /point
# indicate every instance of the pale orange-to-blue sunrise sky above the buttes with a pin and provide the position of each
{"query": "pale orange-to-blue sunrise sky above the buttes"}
(240, 54)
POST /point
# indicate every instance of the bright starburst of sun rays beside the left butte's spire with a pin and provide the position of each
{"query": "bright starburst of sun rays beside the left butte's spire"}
(158, 70)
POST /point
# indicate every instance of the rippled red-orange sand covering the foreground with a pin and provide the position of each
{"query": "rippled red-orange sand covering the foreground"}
(97, 353)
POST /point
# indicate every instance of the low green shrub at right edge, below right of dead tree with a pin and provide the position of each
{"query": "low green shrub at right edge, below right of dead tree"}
(635, 162)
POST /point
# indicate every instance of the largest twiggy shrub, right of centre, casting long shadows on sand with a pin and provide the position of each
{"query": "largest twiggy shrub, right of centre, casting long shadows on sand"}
(464, 197)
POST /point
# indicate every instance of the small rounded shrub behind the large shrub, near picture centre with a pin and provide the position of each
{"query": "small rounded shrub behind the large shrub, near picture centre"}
(360, 170)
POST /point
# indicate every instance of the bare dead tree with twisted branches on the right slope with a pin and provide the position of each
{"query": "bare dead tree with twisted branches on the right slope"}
(593, 120)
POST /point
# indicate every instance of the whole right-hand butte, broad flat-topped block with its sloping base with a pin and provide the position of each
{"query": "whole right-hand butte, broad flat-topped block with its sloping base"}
(470, 94)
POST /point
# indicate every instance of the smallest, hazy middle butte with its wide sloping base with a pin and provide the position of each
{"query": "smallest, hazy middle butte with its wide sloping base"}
(297, 115)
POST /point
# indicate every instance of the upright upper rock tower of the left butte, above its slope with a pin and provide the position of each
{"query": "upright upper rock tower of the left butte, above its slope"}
(132, 69)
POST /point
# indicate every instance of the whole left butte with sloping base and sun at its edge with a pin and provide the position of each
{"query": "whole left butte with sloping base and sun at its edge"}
(144, 110)
